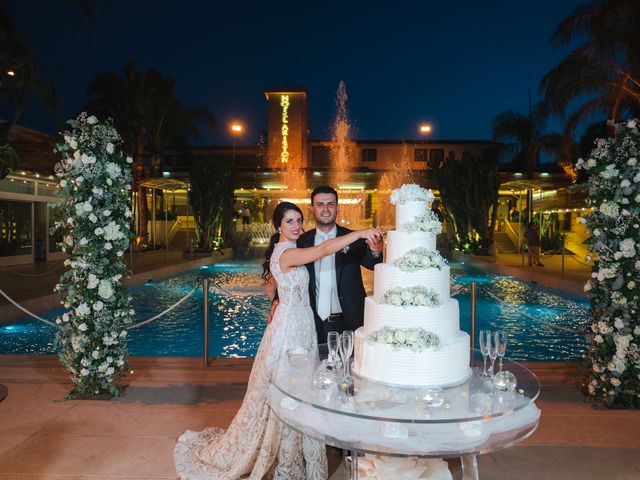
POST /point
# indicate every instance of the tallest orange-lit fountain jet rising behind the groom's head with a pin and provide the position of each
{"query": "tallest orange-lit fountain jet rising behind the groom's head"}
(344, 160)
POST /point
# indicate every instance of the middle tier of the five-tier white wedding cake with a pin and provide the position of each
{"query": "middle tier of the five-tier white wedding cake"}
(387, 276)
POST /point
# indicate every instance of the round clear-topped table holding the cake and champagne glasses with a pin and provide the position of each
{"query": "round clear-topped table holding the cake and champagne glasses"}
(481, 415)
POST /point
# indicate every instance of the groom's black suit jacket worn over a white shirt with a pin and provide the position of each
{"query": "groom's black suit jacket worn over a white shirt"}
(351, 293)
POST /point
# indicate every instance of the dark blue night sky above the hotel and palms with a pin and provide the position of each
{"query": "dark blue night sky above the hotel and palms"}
(453, 64)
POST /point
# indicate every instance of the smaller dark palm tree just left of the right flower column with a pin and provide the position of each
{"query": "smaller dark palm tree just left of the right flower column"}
(523, 136)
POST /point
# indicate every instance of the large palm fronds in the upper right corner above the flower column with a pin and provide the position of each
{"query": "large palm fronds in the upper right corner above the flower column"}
(604, 69)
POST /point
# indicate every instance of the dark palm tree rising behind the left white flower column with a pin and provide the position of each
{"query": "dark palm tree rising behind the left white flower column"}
(147, 114)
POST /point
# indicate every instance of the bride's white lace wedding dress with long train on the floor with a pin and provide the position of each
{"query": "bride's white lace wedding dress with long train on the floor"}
(257, 445)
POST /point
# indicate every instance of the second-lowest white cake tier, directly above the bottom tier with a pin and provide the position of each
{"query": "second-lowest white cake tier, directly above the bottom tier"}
(443, 320)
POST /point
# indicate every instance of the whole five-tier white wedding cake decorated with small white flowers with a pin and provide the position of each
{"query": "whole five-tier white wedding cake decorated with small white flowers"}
(411, 333)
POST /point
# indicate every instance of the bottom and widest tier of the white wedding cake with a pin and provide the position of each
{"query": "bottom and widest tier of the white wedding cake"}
(382, 363)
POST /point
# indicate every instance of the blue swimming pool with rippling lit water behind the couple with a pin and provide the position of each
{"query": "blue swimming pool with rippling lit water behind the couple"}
(236, 326)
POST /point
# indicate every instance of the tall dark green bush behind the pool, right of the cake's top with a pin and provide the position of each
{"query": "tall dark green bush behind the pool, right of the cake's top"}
(469, 190)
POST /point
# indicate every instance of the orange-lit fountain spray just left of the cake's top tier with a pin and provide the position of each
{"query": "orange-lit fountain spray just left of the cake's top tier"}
(400, 173)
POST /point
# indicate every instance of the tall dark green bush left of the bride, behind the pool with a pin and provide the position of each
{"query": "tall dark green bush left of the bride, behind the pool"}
(212, 199)
